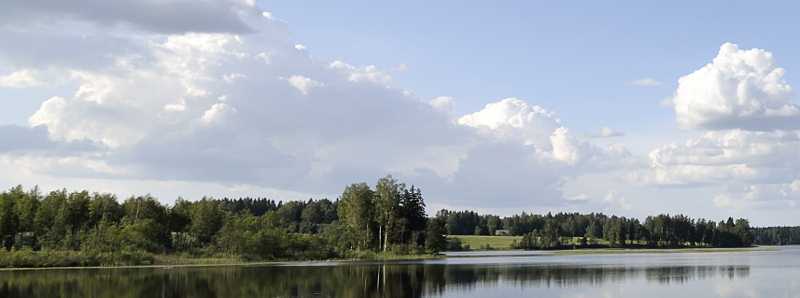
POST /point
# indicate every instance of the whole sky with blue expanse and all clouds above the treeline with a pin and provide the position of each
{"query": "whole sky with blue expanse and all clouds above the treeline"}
(620, 107)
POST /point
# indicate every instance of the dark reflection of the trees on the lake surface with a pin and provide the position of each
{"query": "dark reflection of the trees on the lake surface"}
(375, 280)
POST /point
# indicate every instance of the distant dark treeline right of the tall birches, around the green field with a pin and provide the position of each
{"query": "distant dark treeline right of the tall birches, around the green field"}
(587, 230)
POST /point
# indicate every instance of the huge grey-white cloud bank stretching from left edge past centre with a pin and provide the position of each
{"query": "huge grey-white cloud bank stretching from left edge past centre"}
(252, 109)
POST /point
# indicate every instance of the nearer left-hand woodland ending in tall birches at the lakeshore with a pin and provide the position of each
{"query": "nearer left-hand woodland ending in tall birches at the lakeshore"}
(64, 228)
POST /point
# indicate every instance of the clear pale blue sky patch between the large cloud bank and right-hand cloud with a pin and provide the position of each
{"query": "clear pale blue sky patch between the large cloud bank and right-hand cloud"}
(574, 57)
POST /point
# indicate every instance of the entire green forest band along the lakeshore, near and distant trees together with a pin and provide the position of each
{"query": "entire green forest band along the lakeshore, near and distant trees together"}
(81, 228)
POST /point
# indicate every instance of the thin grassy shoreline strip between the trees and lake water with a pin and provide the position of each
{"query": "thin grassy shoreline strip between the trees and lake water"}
(469, 254)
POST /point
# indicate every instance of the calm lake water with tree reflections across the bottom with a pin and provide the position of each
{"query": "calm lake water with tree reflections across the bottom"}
(767, 274)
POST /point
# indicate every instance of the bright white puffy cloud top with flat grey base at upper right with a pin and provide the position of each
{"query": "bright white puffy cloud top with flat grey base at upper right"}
(739, 89)
